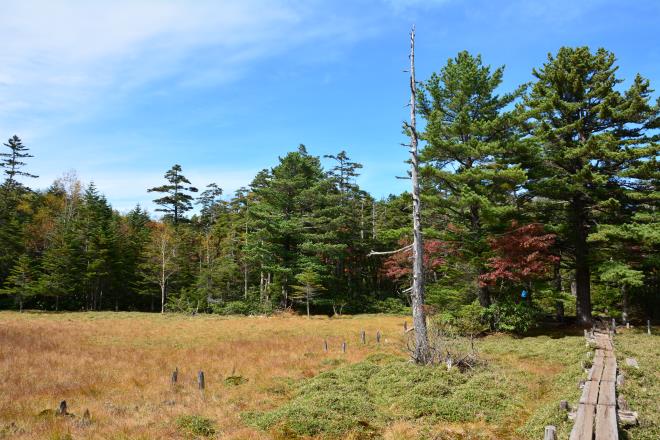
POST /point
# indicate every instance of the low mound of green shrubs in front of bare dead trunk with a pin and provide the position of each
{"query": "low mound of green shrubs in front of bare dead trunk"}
(362, 398)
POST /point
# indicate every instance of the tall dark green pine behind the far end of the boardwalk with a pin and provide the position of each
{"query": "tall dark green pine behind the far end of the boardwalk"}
(584, 136)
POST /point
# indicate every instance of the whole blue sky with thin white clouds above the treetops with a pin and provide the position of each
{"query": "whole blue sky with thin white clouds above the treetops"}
(120, 91)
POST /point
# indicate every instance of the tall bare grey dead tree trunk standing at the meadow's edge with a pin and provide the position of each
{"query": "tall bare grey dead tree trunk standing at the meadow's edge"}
(422, 352)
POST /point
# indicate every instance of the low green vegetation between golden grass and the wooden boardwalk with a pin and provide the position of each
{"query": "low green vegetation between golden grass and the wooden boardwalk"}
(514, 395)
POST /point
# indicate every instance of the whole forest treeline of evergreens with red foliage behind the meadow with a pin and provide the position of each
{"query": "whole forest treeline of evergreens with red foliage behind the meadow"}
(543, 199)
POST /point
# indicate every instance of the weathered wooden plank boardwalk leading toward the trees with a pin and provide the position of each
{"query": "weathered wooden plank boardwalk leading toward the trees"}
(596, 414)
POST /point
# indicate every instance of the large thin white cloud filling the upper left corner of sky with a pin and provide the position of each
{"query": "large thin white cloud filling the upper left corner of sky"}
(62, 61)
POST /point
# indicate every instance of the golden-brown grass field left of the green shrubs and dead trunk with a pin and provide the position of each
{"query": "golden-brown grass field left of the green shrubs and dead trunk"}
(118, 365)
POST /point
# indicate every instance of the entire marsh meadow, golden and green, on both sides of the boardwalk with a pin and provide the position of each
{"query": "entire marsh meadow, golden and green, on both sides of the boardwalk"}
(270, 378)
